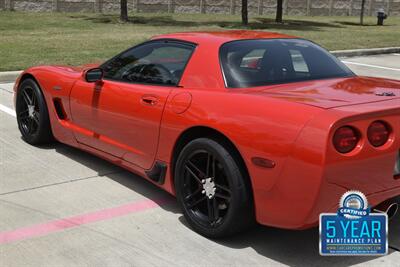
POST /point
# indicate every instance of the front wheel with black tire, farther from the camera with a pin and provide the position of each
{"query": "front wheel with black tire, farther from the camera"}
(32, 114)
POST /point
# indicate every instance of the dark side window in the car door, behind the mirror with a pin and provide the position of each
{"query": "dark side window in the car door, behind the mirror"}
(159, 63)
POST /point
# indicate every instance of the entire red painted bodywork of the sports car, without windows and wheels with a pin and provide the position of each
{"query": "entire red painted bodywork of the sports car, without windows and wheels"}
(289, 124)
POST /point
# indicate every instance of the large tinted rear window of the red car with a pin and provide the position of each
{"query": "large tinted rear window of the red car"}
(249, 63)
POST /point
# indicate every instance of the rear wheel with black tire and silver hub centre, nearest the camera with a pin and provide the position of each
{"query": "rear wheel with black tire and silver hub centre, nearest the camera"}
(229, 209)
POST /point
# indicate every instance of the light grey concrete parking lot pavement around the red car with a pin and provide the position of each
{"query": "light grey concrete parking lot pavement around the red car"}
(62, 207)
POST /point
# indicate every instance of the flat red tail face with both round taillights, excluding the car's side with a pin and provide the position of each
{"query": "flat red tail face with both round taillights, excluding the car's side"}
(362, 153)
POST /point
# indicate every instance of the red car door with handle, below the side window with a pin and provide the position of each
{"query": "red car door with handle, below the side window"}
(127, 130)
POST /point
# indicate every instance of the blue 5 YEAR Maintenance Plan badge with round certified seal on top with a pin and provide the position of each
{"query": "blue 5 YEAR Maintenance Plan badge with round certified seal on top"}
(353, 230)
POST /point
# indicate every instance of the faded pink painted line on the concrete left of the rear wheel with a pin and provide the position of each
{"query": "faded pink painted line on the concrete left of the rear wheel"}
(75, 221)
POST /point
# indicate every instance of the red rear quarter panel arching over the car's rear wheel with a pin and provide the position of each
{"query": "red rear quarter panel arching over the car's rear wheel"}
(259, 127)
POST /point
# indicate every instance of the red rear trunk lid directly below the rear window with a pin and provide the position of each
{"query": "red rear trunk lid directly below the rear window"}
(332, 93)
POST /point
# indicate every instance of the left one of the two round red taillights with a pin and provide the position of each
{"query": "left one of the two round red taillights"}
(345, 139)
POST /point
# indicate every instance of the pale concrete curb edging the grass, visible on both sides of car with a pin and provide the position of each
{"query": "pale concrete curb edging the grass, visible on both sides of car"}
(11, 76)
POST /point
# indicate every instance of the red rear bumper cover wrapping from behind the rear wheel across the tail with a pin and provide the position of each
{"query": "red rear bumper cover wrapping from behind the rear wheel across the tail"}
(352, 147)
